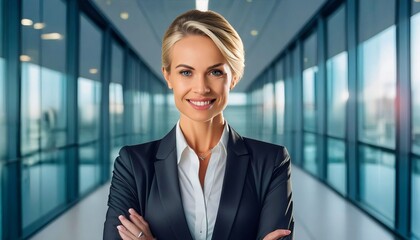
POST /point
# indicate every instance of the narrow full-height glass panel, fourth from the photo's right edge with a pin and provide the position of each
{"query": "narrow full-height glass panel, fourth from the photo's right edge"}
(309, 79)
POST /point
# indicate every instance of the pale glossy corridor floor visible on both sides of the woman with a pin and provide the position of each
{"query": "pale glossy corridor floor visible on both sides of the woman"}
(320, 214)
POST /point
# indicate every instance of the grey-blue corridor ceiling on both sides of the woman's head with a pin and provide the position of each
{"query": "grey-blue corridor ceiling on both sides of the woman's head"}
(265, 26)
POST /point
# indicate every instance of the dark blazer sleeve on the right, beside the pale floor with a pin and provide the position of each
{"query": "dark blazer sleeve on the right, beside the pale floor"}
(277, 206)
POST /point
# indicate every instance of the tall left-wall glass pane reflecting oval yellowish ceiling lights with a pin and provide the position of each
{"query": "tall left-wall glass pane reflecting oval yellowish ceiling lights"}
(43, 106)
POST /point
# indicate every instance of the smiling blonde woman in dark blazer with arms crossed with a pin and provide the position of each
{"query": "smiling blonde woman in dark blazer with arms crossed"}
(202, 180)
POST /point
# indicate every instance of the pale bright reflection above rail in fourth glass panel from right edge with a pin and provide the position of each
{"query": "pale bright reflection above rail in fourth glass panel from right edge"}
(309, 106)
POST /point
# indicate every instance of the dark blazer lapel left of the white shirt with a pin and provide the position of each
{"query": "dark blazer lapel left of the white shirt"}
(167, 181)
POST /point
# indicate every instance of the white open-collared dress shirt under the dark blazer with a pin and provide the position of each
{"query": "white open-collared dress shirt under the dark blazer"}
(201, 205)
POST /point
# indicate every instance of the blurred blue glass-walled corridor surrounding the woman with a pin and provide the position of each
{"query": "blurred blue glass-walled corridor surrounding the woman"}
(335, 81)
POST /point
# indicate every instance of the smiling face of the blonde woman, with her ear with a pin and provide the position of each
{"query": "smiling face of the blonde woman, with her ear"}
(200, 78)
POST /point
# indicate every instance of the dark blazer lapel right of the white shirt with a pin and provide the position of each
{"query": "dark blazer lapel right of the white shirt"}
(233, 184)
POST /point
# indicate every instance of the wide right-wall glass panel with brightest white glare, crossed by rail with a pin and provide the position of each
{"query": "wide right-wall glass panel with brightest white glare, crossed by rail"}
(377, 86)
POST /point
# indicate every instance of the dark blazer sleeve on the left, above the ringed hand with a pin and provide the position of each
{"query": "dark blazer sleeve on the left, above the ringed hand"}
(122, 194)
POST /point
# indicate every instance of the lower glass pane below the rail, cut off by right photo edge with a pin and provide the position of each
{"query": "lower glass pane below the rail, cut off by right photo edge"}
(415, 198)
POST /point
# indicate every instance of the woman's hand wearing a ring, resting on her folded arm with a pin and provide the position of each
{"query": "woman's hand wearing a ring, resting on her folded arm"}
(134, 228)
